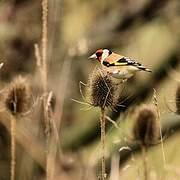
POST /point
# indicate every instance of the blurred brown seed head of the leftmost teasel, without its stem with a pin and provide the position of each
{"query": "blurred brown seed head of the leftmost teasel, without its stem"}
(17, 100)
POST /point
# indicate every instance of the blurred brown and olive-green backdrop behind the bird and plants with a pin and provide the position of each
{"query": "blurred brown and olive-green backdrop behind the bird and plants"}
(146, 30)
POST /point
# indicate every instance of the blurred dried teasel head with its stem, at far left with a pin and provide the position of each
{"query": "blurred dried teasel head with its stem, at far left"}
(17, 102)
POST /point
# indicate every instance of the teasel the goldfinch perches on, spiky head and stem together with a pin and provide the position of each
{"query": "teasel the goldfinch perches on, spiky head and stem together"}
(102, 92)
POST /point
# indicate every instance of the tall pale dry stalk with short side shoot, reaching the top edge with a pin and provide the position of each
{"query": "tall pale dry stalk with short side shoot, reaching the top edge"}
(41, 61)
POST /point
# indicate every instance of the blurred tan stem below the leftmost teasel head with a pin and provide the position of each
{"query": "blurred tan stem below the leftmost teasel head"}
(13, 147)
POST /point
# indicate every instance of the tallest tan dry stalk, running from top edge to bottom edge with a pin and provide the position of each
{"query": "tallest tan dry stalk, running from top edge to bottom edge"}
(43, 69)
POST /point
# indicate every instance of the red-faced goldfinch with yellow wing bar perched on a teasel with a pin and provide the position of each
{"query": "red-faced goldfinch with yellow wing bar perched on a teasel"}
(118, 66)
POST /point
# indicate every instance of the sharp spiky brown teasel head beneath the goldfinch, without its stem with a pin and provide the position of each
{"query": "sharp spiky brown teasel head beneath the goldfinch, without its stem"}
(102, 89)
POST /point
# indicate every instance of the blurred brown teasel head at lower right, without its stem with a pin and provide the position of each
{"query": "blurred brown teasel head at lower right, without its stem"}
(146, 126)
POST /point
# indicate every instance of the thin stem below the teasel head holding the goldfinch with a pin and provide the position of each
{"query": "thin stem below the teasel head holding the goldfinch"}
(103, 167)
